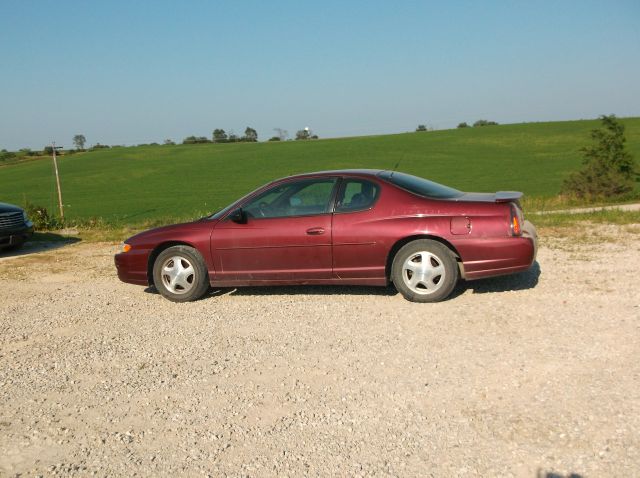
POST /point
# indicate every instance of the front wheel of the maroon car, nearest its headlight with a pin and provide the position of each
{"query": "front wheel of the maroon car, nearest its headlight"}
(180, 274)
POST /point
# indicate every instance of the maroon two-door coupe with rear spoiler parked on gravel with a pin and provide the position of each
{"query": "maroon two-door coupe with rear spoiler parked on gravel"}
(365, 227)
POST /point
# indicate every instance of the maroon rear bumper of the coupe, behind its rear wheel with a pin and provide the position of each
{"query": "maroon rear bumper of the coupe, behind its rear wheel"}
(502, 256)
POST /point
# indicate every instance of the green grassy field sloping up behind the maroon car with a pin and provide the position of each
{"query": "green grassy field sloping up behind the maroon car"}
(151, 184)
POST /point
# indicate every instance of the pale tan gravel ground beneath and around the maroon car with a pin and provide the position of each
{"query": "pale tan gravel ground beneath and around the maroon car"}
(526, 375)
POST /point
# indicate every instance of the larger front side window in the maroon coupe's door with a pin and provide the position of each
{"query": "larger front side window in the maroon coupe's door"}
(299, 198)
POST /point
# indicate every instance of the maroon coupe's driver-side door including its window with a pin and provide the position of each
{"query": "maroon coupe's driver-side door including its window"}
(286, 235)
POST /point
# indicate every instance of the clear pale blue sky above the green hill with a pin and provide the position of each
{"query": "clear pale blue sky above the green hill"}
(124, 72)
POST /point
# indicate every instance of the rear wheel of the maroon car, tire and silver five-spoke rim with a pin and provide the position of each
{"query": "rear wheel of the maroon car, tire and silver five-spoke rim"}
(424, 271)
